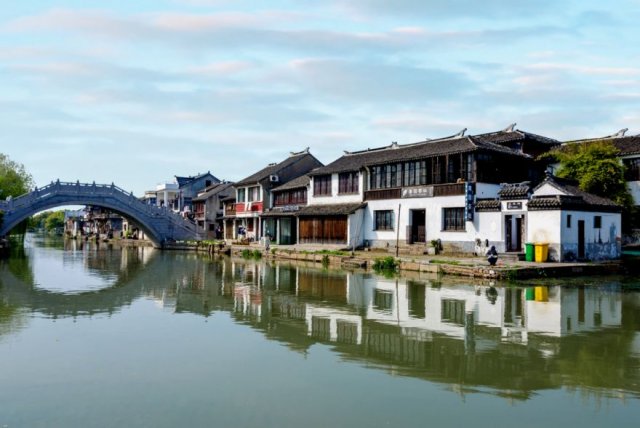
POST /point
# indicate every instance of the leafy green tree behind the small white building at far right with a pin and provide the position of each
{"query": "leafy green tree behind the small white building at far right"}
(597, 169)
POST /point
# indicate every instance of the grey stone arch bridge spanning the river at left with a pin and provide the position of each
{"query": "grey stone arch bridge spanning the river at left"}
(160, 224)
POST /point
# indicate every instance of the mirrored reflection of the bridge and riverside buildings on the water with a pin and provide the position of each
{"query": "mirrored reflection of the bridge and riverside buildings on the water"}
(511, 341)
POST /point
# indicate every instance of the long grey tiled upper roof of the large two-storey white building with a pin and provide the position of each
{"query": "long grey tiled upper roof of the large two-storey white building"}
(398, 153)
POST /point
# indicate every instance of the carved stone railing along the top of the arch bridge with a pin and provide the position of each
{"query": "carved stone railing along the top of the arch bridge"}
(95, 190)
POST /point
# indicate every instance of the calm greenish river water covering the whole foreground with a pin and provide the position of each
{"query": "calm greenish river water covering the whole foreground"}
(98, 336)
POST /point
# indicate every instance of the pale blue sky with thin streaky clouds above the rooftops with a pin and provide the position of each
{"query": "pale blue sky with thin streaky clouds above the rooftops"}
(136, 92)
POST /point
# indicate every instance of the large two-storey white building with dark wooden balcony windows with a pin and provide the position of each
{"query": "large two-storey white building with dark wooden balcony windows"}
(427, 191)
